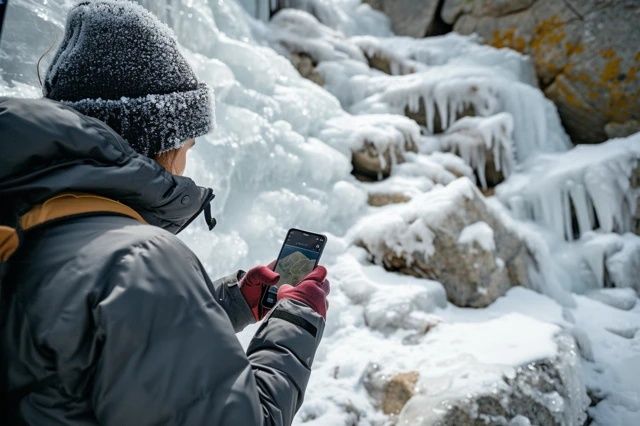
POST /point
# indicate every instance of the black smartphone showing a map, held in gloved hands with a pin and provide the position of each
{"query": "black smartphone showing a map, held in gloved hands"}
(299, 255)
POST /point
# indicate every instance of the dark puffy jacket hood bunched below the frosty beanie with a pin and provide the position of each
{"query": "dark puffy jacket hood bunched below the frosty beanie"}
(47, 148)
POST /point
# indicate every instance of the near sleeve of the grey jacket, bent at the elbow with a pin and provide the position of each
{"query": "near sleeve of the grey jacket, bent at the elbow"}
(168, 355)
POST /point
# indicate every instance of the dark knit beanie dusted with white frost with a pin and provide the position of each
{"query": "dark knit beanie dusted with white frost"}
(120, 64)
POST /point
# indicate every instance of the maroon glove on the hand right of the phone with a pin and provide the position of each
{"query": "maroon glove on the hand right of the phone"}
(312, 291)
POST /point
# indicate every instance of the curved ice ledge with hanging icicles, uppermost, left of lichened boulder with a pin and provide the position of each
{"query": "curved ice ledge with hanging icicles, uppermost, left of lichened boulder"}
(447, 90)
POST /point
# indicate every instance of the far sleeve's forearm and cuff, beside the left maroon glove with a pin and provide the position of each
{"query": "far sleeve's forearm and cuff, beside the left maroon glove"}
(227, 292)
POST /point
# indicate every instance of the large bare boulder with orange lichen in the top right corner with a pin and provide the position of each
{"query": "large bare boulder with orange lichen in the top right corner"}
(585, 54)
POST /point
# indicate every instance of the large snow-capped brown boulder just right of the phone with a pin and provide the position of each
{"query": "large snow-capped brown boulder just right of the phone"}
(430, 237)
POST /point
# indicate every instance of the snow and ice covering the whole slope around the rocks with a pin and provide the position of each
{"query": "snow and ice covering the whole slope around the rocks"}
(280, 157)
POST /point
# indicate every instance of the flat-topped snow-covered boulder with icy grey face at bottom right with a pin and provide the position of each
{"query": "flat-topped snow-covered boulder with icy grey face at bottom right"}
(494, 378)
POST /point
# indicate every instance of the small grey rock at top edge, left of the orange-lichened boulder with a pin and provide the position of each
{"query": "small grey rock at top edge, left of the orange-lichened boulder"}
(409, 17)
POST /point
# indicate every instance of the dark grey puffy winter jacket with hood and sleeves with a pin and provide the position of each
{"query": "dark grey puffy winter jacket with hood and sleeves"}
(120, 314)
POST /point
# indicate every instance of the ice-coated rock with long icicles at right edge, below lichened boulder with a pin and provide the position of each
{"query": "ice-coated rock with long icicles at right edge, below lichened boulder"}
(586, 188)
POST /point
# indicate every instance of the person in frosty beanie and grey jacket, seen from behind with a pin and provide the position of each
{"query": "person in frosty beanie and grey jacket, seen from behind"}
(106, 316)
